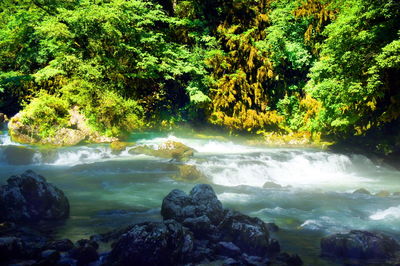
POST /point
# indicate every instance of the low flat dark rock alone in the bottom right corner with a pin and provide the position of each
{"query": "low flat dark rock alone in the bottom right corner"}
(359, 245)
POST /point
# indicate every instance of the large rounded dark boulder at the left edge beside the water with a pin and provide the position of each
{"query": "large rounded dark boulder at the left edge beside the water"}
(29, 198)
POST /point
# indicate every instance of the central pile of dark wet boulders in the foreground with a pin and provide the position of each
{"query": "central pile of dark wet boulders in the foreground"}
(197, 229)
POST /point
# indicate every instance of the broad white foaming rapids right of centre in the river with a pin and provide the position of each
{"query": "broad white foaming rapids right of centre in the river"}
(303, 169)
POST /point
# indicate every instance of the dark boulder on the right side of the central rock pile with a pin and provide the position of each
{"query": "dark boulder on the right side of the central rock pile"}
(249, 234)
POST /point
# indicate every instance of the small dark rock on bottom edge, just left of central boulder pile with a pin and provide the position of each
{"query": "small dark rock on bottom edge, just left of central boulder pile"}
(85, 252)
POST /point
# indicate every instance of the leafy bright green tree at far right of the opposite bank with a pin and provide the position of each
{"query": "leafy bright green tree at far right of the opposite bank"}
(353, 78)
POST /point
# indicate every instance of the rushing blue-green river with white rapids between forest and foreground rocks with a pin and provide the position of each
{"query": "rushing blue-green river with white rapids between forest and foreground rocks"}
(315, 198)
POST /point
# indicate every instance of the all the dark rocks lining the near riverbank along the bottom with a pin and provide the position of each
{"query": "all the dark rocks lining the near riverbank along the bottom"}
(196, 229)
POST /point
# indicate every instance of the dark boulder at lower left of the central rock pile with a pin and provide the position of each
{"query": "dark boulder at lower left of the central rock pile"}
(166, 243)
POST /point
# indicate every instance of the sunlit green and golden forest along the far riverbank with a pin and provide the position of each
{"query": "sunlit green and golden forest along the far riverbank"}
(316, 68)
